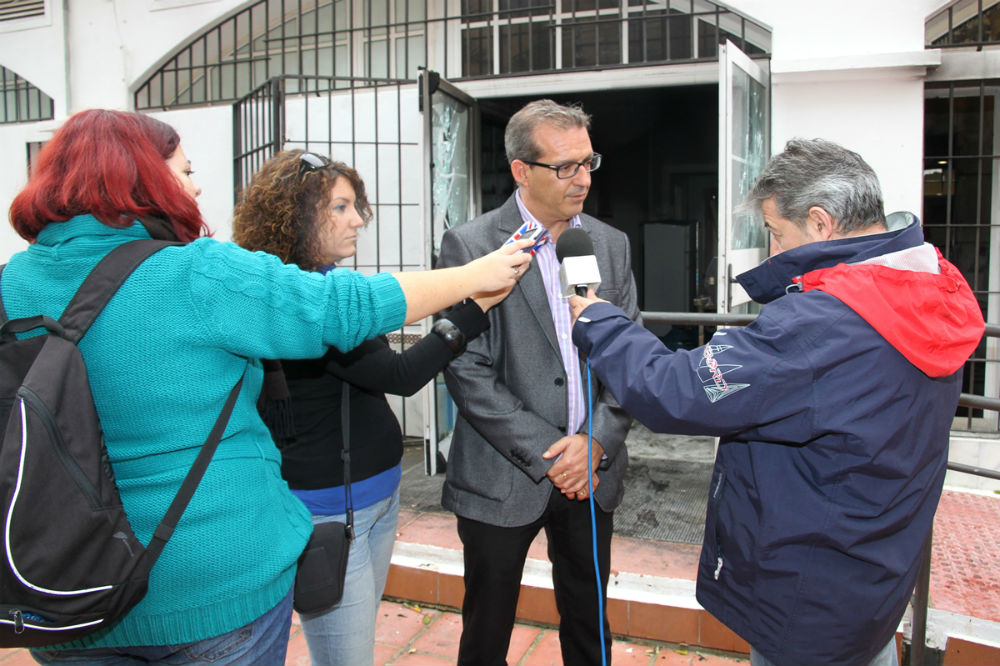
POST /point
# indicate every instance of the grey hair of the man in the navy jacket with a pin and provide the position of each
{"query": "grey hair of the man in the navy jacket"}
(820, 173)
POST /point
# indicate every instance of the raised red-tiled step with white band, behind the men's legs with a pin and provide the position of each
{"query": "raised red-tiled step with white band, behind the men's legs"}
(651, 590)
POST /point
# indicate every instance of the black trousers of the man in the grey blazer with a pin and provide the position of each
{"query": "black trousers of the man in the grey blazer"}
(494, 560)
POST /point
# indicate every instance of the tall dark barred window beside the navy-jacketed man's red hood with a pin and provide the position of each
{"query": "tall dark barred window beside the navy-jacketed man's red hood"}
(961, 211)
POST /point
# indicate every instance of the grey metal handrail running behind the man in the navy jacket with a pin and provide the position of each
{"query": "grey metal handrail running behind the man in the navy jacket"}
(921, 592)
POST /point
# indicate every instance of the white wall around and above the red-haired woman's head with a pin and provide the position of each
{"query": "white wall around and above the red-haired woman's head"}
(92, 53)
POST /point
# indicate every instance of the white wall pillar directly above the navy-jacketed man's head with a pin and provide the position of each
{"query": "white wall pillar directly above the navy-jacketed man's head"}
(852, 71)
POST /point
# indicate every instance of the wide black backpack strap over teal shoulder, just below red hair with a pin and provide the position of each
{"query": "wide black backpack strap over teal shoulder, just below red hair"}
(103, 281)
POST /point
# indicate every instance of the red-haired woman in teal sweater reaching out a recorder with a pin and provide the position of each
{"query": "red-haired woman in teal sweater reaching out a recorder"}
(162, 357)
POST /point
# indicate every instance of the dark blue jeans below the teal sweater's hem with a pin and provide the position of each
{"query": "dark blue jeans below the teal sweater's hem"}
(263, 641)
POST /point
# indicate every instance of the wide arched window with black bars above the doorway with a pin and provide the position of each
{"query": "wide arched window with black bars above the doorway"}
(473, 38)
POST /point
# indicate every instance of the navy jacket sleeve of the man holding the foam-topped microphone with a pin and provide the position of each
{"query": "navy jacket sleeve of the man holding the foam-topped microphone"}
(743, 378)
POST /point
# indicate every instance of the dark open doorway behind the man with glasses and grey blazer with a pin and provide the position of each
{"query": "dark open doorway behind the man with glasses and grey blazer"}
(658, 183)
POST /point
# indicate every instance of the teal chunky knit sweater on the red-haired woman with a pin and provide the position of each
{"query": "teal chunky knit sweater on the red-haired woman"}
(161, 358)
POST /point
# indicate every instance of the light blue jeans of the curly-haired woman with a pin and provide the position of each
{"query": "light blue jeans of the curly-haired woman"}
(346, 634)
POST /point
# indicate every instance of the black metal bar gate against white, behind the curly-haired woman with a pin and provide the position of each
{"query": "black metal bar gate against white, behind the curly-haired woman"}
(369, 124)
